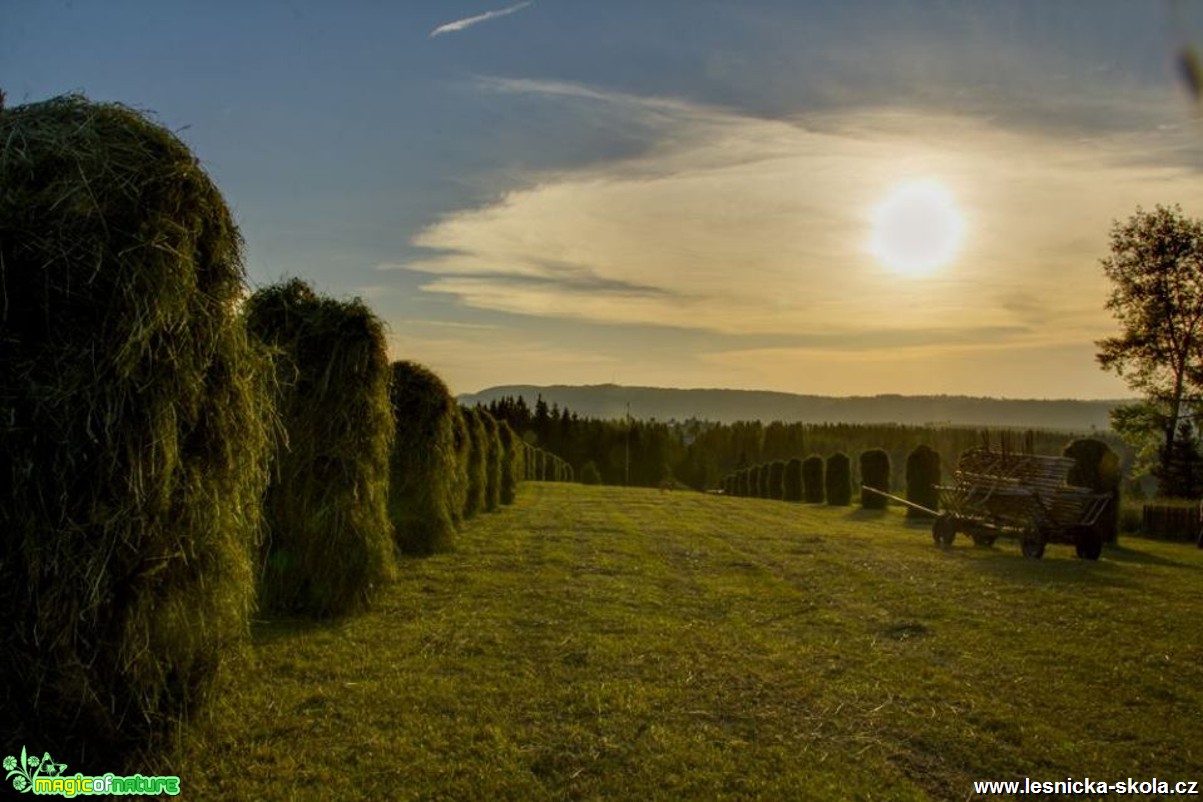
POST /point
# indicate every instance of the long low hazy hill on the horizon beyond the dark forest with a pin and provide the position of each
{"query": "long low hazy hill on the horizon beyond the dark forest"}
(730, 406)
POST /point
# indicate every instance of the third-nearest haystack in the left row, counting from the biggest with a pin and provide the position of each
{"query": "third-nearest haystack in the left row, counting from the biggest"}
(424, 465)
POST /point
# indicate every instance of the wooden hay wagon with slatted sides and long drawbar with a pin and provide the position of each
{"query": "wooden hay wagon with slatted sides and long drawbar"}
(1005, 495)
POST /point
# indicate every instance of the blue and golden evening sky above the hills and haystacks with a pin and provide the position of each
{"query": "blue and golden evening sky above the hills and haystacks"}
(673, 193)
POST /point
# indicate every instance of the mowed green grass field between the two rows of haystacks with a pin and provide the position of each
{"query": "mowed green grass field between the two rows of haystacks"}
(608, 644)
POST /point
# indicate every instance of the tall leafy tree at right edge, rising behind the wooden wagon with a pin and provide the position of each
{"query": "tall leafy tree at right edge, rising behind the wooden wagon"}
(1157, 274)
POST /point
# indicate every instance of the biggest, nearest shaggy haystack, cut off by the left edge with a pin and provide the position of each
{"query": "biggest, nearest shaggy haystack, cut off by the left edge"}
(137, 426)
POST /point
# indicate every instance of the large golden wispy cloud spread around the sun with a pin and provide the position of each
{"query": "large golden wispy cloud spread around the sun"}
(736, 225)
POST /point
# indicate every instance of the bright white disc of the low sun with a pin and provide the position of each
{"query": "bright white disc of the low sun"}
(917, 229)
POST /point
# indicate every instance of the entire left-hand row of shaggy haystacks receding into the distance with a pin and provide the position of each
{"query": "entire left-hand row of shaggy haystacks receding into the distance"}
(177, 458)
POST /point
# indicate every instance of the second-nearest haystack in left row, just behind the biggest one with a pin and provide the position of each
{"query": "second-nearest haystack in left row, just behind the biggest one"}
(330, 543)
